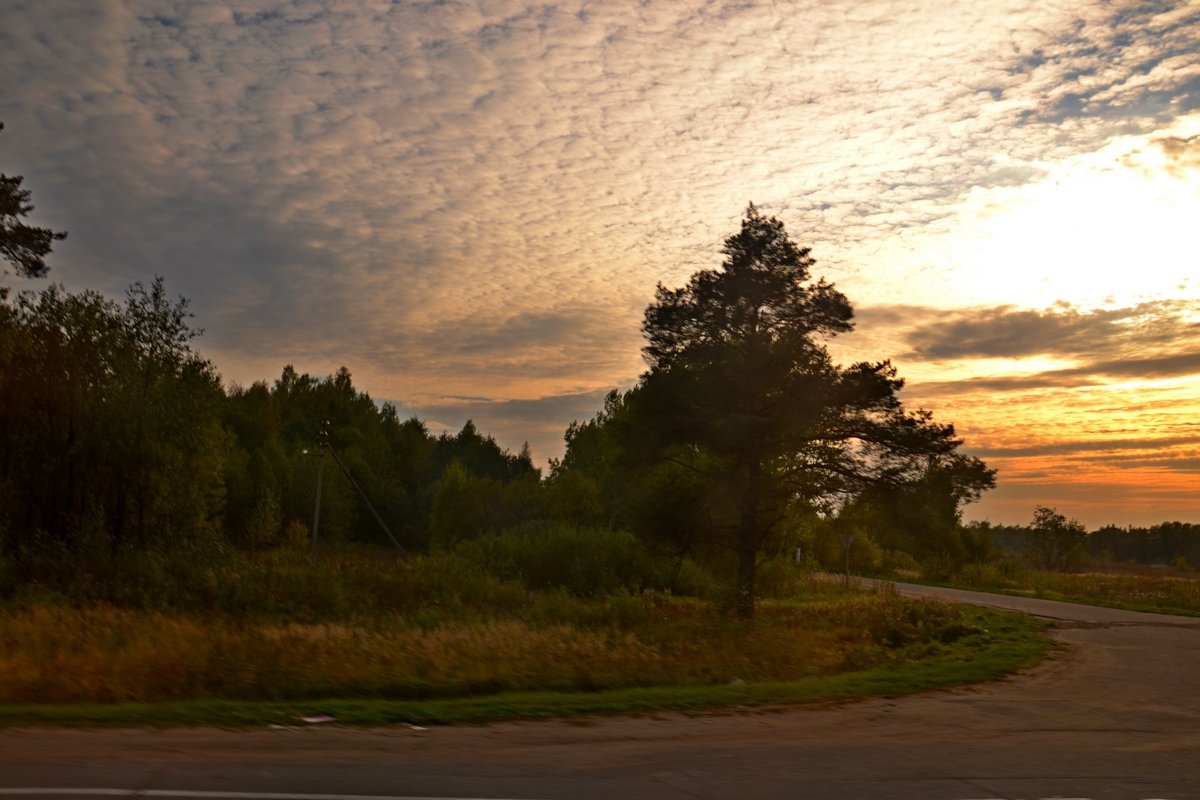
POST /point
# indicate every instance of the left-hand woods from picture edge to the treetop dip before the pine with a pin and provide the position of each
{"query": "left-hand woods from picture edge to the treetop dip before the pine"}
(117, 436)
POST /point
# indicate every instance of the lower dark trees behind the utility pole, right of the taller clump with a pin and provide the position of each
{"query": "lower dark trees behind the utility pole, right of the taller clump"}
(399, 465)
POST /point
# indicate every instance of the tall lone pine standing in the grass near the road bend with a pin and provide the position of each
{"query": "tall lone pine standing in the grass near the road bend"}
(742, 390)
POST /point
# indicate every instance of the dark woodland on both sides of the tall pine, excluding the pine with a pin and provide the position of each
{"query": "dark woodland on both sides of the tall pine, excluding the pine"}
(119, 440)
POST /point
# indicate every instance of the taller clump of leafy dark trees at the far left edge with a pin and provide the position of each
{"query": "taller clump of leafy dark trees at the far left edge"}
(110, 425)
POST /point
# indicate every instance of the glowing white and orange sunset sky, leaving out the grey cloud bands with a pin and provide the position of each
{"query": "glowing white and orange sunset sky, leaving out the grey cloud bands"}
(1109, 230)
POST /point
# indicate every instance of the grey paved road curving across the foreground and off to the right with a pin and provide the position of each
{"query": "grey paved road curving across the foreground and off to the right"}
(1117, 717)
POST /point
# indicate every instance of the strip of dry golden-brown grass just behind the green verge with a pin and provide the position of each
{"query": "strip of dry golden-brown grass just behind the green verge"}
(52, 654)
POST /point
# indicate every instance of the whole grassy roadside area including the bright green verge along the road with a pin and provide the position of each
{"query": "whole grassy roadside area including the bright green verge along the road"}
(377, 642)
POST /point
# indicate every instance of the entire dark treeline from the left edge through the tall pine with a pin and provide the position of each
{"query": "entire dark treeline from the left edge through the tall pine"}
(743, 449)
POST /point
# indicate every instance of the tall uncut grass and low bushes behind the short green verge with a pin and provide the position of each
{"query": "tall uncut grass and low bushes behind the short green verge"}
(536, 610)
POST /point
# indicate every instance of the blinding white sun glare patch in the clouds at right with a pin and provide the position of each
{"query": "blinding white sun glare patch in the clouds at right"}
(1111, 227)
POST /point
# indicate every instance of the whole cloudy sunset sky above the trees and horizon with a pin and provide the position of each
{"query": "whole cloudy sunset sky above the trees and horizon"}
(470, 203)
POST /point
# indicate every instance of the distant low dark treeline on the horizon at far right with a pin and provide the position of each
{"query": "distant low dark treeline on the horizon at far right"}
(1168, 544)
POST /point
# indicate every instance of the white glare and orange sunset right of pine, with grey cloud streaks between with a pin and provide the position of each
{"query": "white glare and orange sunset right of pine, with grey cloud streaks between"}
(1099, 407)
